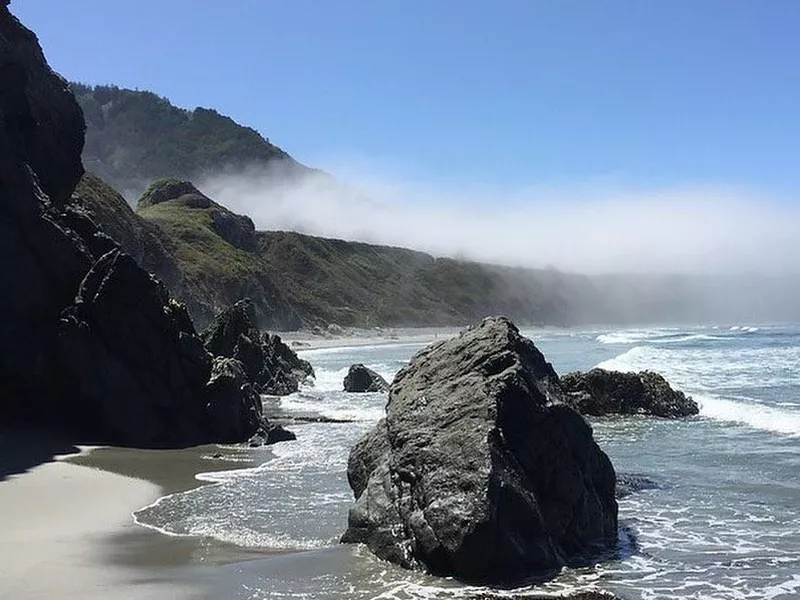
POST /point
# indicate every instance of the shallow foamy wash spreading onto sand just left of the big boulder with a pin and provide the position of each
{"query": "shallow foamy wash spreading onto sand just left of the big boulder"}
(296, 500)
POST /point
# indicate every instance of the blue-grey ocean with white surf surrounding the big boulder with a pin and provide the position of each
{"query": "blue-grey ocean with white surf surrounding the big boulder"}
(722, 520)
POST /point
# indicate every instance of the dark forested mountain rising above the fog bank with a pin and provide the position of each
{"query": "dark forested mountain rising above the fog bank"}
(134, 137)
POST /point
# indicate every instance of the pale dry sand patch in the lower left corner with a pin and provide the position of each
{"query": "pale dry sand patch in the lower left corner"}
(58, 522)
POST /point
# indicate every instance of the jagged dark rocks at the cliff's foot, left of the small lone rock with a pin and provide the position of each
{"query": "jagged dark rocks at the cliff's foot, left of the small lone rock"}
(270, 365)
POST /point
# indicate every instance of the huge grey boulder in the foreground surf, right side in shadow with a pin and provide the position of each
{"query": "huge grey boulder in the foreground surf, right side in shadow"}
(479, 470)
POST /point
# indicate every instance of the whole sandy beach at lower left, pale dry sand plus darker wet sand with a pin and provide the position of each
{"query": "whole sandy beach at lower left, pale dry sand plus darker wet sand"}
(67, 529)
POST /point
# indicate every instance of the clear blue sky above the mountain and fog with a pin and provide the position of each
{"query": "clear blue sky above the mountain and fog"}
(648, 92)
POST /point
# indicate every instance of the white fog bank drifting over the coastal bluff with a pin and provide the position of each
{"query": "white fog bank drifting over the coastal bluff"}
(702, 230)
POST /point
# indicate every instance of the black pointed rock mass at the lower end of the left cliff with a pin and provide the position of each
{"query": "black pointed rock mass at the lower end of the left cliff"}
(141, 374)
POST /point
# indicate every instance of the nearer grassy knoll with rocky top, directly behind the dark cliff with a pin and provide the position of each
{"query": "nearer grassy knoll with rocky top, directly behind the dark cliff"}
(178, 239)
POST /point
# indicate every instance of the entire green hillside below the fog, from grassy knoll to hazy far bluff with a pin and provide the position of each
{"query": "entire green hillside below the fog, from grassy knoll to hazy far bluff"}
(210, 257)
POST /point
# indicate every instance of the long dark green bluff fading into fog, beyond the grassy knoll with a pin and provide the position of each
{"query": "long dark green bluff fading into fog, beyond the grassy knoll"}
(361, 284)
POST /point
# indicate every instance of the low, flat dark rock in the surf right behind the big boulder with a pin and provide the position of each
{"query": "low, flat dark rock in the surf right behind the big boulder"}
(599, 392)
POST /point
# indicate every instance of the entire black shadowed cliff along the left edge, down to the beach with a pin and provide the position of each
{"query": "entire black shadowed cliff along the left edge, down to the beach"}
(89, 342)
